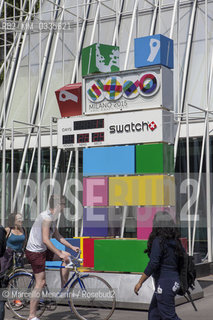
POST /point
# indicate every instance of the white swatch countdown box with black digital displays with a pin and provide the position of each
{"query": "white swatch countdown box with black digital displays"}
(115, 129)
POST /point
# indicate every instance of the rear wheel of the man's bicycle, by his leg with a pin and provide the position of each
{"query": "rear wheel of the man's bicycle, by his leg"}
(19, 289)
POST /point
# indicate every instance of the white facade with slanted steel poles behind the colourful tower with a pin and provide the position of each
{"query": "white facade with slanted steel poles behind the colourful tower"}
(39, 57)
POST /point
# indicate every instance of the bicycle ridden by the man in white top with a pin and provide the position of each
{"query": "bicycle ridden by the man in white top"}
(89, 296)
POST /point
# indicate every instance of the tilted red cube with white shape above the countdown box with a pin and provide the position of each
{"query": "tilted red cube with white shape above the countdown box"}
(69, 99)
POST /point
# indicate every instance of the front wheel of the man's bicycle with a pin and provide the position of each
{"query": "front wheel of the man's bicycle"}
(92, 298)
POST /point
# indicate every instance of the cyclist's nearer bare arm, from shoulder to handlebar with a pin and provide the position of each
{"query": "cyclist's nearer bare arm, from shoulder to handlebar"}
(46, 240)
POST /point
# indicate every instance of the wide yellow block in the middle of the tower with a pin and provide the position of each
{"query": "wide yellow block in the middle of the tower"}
(149, 190)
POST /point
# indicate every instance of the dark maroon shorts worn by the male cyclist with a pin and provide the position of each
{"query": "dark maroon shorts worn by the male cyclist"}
(37, 259)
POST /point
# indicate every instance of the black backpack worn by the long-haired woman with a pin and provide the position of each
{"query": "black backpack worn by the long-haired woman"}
(187, 273)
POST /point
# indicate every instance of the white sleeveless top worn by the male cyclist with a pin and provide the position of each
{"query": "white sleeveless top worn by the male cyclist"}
(35, 241)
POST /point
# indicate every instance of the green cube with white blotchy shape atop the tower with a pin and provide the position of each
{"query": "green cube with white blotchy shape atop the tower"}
(100, 58)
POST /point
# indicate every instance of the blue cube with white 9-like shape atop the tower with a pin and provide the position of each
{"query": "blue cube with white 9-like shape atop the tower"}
(154, 50)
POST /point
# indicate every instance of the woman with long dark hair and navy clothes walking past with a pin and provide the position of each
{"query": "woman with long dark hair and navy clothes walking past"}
(165, 251)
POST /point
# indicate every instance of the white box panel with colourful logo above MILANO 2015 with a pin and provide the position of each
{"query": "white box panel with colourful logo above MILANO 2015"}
(160, 96)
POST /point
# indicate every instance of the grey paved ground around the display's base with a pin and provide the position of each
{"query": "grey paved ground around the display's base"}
(185, 311)
